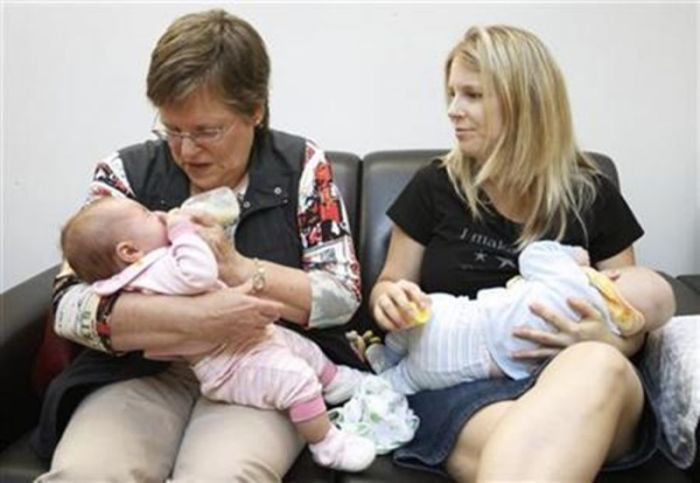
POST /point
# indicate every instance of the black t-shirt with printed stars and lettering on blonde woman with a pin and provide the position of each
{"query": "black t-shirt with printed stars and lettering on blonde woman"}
(464, 255)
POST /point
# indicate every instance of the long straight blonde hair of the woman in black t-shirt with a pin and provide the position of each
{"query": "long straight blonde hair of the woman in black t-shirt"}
(534, 157)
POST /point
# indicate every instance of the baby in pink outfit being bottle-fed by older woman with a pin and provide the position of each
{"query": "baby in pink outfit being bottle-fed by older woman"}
(116, 243)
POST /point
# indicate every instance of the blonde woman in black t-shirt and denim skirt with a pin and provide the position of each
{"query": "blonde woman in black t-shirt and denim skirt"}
(514, 176)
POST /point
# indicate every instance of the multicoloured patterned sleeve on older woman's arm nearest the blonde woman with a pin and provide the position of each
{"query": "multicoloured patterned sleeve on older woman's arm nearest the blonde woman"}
(328, 251)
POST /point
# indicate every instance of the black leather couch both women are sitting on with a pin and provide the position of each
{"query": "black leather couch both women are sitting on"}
(368, 186)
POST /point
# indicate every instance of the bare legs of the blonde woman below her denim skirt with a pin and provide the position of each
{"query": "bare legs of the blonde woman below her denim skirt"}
(583, 410)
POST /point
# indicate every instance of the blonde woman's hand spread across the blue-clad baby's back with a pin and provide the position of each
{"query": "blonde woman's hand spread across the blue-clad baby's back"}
(591, 327)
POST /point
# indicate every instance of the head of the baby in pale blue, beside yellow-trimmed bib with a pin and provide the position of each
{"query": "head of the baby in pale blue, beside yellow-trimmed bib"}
(646, 291)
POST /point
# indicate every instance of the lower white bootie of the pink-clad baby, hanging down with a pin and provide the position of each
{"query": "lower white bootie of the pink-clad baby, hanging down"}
(343, 451)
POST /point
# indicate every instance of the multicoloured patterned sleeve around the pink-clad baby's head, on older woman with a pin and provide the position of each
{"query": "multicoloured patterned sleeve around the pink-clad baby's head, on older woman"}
(81, 315)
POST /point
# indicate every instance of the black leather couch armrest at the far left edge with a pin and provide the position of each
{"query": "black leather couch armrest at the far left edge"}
(24, 309)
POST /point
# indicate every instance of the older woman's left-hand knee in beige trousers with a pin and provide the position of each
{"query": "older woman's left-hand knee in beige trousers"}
(127, 421)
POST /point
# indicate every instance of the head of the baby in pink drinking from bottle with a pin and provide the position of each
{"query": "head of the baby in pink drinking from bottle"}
(109, 234)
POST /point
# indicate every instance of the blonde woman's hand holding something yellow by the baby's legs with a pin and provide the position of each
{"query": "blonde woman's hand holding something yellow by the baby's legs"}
(397, 306)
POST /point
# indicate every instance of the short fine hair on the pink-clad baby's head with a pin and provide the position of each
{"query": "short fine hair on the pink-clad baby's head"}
(88, 241)
